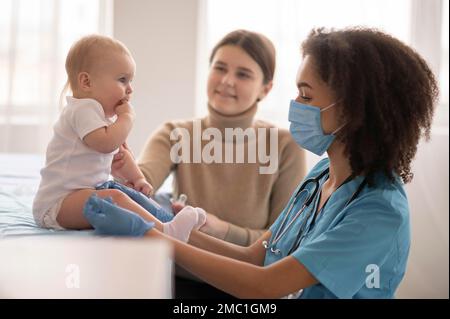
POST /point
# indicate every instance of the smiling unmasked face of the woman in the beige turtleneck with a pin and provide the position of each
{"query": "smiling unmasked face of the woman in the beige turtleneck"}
(235, 81)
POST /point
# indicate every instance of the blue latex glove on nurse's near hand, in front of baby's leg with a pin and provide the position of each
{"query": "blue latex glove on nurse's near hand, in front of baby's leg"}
(109, 219)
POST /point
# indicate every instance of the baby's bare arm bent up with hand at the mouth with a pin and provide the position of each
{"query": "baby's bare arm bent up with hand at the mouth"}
(107, 139)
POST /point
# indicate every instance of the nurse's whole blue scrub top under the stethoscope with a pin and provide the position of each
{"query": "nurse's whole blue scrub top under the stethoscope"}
(354, 251)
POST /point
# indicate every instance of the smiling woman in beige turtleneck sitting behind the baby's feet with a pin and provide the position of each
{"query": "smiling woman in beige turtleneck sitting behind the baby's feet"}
(241, 202)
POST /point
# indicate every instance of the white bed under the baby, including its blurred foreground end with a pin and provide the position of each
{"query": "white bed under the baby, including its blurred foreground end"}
(36, 264)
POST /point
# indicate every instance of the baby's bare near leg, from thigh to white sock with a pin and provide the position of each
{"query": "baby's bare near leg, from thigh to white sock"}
(71, 216)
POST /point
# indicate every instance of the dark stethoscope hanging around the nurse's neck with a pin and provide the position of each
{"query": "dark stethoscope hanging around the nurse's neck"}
(283, 228)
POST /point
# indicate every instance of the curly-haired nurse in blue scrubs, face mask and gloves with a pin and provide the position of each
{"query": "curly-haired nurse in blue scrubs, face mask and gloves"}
(365, 98)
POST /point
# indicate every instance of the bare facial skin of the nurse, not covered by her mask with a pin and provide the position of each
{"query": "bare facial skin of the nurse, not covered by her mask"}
(315, 92)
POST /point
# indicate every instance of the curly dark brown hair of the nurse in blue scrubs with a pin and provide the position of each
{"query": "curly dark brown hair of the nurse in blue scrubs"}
(387, 93)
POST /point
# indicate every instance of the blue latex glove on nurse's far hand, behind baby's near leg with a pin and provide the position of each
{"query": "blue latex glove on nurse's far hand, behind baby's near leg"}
(147, 203)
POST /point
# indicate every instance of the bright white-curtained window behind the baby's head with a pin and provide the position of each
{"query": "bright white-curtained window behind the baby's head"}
(35, 36)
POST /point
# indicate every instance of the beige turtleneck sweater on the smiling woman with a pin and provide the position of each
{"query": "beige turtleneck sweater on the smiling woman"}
(235, 192)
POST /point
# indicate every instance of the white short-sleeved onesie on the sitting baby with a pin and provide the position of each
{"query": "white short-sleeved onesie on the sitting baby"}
(70, 164)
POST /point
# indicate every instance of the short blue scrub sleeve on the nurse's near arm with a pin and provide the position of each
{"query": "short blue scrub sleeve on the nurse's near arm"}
(338, 258)
